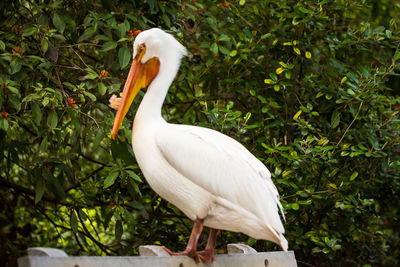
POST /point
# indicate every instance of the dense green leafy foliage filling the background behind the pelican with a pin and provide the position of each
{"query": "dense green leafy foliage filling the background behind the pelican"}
(309, 87)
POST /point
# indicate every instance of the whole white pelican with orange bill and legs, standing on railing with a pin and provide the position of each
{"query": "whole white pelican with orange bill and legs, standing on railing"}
(209, 176)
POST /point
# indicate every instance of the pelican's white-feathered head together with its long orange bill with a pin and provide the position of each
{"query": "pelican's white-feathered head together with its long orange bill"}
(151, 49)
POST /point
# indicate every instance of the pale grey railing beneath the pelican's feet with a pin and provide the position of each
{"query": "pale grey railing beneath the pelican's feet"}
(238, 255)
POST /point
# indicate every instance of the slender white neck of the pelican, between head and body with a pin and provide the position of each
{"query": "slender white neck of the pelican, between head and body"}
(150, 107)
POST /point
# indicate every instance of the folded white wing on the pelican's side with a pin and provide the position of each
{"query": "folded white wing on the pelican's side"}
(223, 167)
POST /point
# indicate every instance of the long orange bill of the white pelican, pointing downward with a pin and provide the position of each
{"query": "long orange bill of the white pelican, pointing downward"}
(140, 76)
